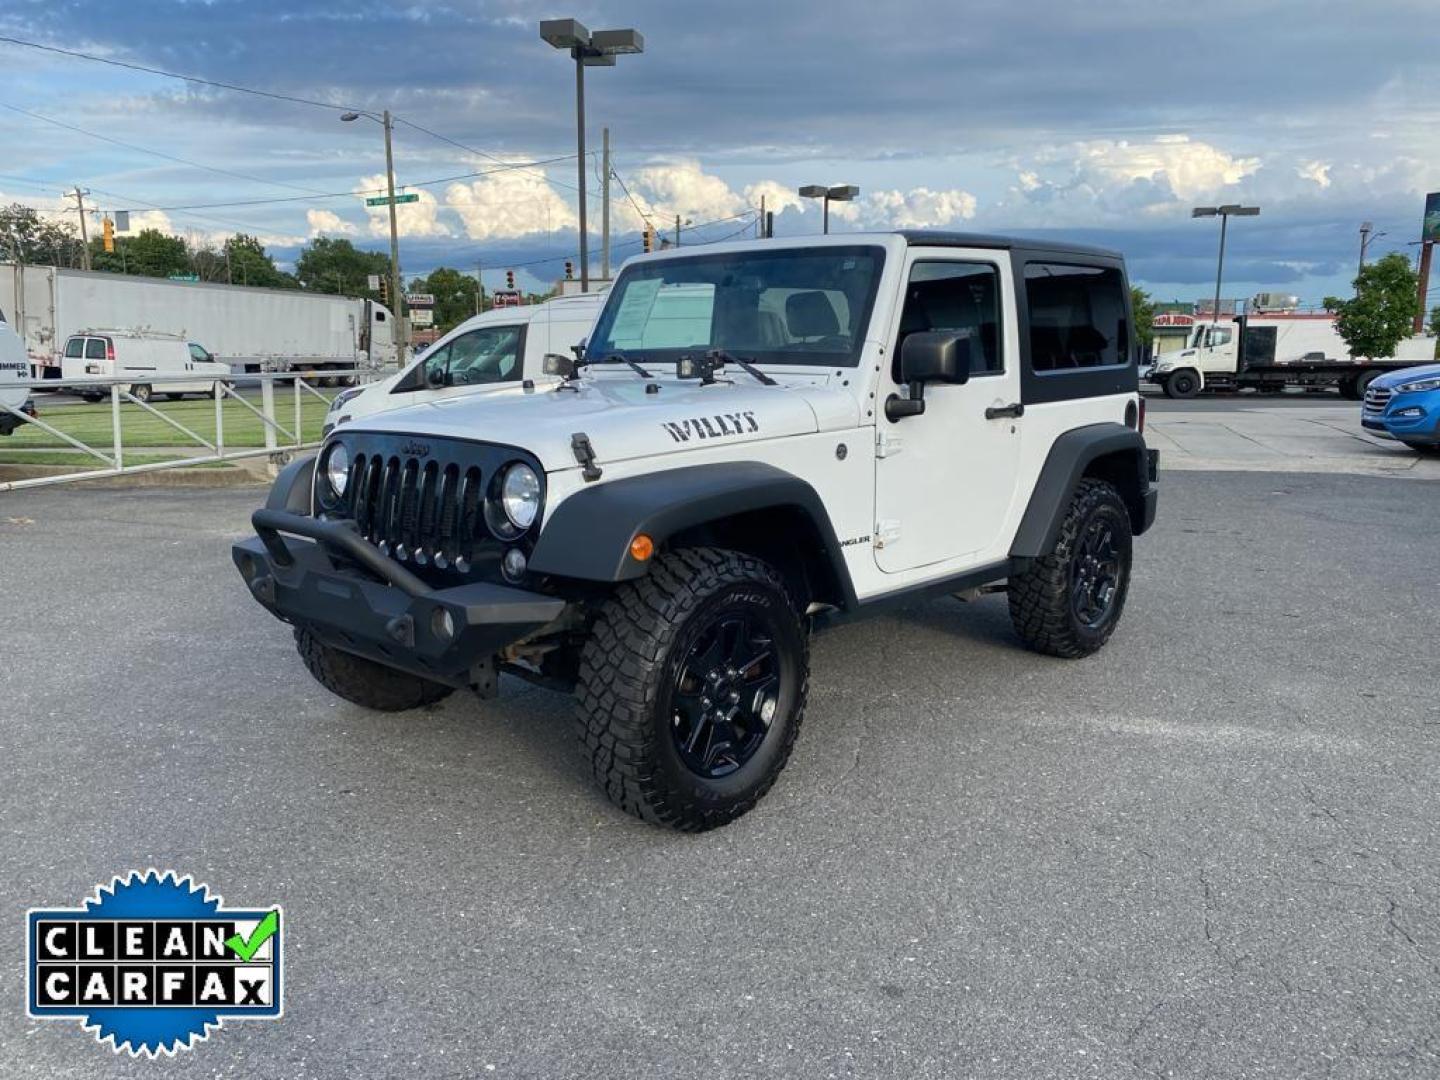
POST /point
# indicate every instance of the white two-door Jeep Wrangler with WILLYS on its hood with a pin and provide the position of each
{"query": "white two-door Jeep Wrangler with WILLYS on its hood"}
(804, 426)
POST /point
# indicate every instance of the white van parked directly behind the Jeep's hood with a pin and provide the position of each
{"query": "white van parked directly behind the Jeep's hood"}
(496, 352)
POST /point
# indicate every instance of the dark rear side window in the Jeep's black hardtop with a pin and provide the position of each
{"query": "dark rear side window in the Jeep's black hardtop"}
(1076, 318)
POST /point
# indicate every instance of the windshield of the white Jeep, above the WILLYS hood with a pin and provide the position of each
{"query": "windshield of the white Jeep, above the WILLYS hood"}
(774, 307)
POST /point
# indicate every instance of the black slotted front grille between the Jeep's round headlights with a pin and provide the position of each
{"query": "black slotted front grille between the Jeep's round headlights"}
(421, 510)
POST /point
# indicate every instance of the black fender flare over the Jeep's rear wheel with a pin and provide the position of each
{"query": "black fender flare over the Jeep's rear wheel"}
(1066, 464)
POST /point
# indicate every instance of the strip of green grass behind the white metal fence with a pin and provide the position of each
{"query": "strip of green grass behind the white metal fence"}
(93, 424)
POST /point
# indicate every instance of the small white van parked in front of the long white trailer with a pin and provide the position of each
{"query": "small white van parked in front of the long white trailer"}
(153, 361)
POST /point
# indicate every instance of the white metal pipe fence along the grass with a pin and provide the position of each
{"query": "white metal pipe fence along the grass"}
(283, 423)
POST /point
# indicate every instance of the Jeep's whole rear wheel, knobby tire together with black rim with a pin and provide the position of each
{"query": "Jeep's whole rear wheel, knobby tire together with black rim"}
(1061, 606)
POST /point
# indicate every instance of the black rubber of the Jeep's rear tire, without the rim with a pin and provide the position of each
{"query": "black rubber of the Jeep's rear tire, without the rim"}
(1040, 598)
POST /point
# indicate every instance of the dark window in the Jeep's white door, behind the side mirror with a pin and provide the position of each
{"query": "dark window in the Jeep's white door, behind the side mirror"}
(955, 296)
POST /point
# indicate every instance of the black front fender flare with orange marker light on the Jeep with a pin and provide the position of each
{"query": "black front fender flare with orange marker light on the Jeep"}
(590, 535)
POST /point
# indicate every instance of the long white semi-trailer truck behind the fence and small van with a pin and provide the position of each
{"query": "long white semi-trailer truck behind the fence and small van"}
(250, 329)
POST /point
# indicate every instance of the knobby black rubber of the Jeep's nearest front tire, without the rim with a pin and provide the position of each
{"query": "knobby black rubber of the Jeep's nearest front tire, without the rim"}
(631, 660)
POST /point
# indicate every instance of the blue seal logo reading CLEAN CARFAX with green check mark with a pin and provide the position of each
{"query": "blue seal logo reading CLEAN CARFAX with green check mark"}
(153, 963)
